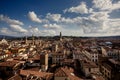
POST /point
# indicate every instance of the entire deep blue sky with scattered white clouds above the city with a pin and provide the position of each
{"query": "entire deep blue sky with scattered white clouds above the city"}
(50, 17)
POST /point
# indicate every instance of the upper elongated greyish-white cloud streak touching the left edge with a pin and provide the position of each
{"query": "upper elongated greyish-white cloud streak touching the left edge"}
(10, 21)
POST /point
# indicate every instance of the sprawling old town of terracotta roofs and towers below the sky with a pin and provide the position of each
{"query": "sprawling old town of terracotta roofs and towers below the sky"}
(60, 58)
